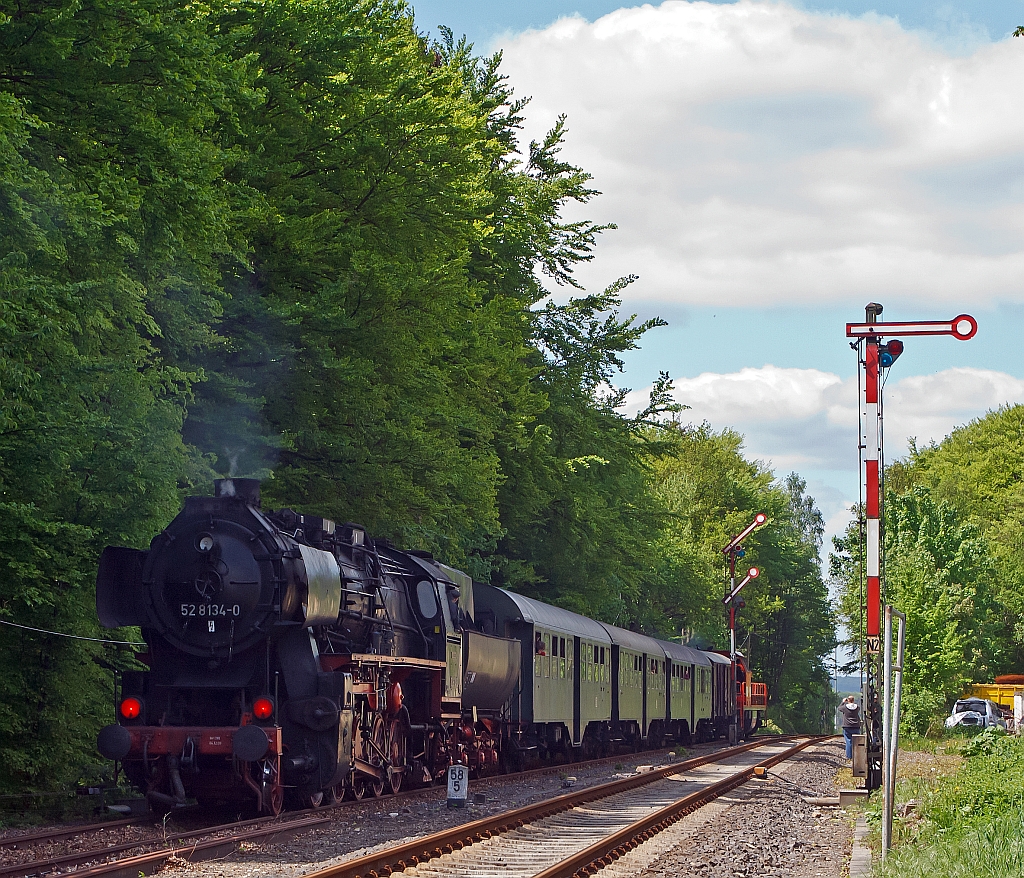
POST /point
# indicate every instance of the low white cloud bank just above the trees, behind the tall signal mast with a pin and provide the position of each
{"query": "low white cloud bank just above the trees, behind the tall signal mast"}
(806, 420)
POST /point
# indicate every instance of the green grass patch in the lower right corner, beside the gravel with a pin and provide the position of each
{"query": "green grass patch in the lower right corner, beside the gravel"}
(970, 820)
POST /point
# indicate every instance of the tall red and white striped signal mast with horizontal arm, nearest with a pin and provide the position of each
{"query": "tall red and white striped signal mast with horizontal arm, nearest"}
(875, 357)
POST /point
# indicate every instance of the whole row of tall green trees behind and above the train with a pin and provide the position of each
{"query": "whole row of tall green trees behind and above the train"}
(297, 240)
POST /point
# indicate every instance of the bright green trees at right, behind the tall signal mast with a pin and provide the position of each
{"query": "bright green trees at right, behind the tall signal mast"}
(955, 562)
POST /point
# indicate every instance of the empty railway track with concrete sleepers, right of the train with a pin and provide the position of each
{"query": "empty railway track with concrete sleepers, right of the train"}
(576, 834)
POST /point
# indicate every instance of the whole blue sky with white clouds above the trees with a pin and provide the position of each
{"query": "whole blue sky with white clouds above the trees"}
(773, 168)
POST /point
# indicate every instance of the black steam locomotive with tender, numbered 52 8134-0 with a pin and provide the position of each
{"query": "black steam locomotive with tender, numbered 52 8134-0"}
(292, 658)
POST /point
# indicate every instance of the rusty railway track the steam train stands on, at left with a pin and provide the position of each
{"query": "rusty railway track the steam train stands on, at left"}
(208, 842)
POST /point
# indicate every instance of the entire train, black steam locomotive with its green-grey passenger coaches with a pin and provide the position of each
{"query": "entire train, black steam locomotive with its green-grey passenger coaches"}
(295, 662)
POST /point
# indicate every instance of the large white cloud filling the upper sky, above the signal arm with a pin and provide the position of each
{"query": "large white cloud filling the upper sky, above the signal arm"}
(754, 154)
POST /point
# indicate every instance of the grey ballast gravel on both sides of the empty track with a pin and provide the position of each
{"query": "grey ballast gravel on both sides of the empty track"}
(764, 828)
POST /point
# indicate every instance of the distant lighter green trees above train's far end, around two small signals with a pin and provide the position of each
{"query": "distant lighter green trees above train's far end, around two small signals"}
(711, 493)
